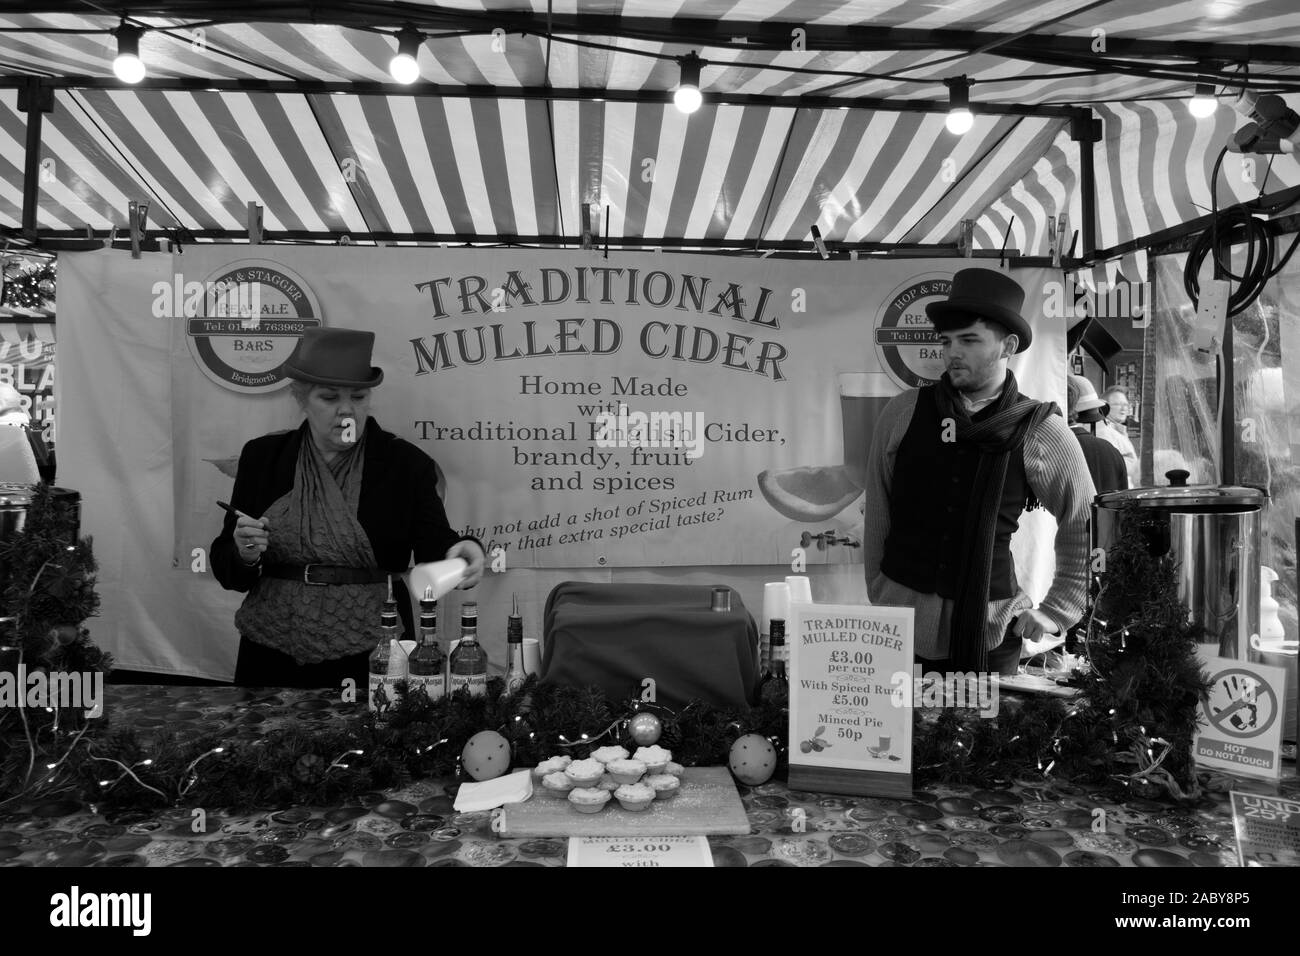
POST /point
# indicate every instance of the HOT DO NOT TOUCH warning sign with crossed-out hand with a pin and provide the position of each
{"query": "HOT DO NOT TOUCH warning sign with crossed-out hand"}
(1241, 719)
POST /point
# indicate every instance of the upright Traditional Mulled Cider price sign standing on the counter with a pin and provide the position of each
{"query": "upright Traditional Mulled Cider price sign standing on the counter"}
(851, 721)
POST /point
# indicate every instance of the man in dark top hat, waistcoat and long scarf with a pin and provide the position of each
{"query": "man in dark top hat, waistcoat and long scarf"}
(952, 469)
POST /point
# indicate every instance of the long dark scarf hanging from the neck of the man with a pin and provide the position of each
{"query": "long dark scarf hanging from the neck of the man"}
(996, 438)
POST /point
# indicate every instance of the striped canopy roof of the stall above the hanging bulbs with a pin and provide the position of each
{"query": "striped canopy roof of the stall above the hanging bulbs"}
(508, 144)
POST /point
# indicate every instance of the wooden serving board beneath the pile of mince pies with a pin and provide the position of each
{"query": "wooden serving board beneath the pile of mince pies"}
(708, 803)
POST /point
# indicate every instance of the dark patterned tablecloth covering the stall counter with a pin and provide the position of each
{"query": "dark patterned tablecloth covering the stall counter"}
(1022, 825)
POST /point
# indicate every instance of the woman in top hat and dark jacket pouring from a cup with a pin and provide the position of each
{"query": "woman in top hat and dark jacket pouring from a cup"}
(330, 512)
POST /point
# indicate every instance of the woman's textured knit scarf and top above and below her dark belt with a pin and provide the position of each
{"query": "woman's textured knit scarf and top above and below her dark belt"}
(317, 524)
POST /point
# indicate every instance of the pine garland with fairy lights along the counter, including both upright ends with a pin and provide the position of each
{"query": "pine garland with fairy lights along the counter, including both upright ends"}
(1132, 726)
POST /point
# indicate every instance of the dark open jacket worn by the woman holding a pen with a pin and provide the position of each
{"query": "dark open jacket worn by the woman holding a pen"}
(400, 508)
